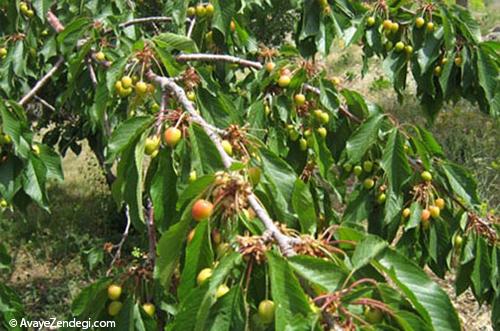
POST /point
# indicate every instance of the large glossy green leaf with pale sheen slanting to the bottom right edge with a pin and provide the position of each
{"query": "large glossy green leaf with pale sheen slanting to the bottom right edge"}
(427, 297)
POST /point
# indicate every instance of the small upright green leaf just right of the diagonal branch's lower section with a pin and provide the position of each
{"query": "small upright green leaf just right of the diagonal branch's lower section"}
(303, 205)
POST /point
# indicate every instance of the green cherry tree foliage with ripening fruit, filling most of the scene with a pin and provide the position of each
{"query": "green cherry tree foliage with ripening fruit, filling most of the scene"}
(311, 190)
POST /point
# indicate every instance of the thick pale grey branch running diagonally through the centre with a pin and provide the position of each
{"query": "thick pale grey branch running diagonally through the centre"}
(285, 243)
